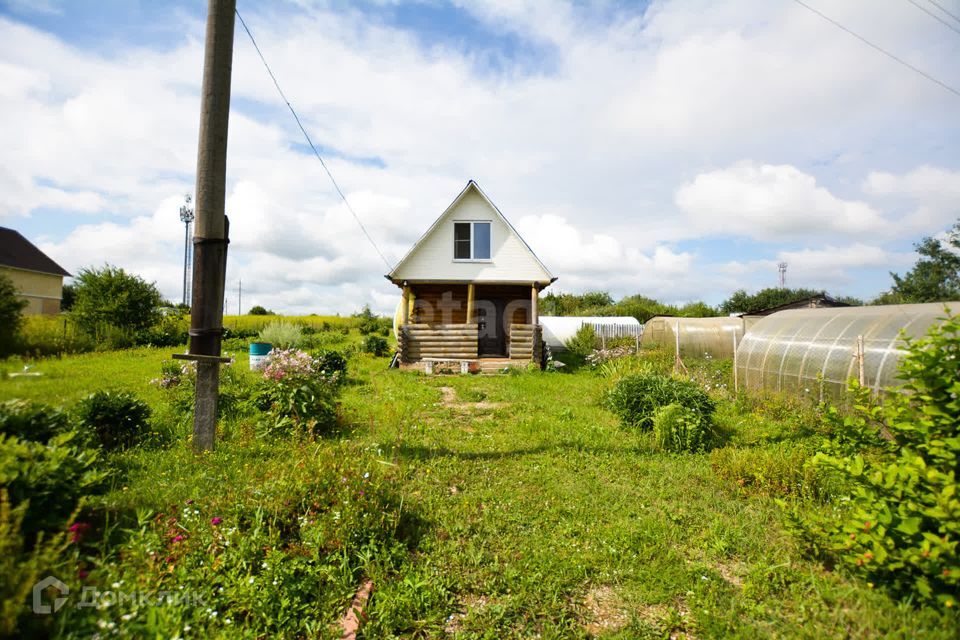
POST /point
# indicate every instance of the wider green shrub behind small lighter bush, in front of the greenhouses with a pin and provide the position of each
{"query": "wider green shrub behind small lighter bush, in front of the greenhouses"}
(635, 398)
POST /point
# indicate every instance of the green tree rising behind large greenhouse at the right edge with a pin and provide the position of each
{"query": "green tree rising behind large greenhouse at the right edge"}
(936, 275)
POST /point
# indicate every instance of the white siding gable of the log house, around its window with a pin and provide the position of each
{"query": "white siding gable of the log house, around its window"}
(511, 260)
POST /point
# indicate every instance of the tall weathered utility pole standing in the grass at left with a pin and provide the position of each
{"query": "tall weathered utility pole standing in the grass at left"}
(211, 228)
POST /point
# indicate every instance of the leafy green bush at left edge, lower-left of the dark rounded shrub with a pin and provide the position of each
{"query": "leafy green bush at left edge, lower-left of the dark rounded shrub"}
(51, 477)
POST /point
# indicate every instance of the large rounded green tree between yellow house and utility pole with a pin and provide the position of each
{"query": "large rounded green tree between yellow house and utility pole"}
(112, 297)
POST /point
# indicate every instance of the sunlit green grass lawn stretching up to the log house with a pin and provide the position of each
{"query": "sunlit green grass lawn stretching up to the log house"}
(538, 514)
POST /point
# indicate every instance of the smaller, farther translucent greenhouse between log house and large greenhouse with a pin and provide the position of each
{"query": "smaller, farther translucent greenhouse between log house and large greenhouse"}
(699, 337)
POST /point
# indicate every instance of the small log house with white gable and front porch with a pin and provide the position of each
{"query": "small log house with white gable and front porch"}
(470, 288)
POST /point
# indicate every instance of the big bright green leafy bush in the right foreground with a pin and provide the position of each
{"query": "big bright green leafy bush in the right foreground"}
(900, 522)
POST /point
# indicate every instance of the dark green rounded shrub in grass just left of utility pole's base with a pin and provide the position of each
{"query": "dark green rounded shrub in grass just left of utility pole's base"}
(119, 419)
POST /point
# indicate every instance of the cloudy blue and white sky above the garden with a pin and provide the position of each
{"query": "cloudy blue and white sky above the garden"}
(677, 149)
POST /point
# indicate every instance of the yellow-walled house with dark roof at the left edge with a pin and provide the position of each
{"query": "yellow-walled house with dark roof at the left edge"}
(39, 278)
